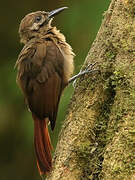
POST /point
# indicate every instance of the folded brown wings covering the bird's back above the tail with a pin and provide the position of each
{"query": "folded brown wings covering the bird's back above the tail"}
(40, 78)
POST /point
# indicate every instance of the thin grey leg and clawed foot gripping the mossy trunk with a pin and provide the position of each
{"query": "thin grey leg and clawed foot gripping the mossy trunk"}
(89, 69)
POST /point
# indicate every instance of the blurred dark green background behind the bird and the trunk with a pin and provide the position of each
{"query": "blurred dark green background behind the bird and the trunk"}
(79, 24)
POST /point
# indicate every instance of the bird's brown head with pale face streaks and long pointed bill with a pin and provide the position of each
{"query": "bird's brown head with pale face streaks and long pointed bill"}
(36, 23)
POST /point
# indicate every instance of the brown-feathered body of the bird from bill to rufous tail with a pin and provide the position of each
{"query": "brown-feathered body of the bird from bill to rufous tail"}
(44, 65)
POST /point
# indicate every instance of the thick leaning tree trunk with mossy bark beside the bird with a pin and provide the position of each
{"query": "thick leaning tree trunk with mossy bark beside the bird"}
(97, 140)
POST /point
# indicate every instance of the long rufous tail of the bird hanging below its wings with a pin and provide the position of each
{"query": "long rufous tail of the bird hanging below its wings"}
(42, 145)
